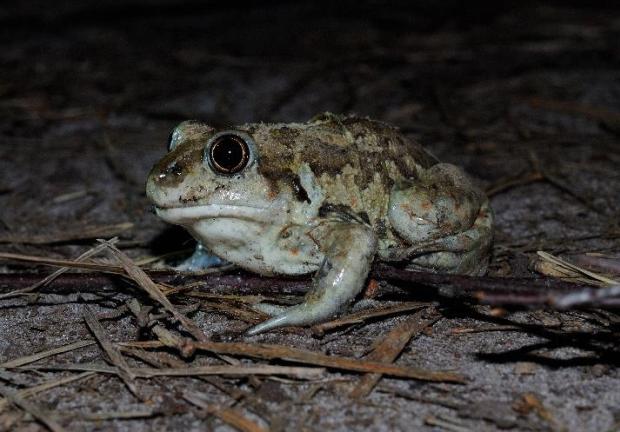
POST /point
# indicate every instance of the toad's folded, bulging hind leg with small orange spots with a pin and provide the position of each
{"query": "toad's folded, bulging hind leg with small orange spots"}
(447, 221)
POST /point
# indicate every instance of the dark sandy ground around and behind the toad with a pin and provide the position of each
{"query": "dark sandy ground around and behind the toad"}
(526, 99)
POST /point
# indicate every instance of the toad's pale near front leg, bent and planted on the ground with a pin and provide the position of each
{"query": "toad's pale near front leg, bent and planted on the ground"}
(349, 248)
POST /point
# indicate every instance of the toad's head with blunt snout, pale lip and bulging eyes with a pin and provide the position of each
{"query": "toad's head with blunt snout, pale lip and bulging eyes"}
(211, 175)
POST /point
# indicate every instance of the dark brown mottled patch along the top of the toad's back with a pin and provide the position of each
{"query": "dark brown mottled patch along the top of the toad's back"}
(328, 143)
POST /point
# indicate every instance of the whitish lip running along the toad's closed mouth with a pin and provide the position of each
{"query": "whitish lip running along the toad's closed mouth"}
(188, 215)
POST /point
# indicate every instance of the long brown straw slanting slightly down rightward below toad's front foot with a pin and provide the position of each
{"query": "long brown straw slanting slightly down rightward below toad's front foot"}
(274, 352)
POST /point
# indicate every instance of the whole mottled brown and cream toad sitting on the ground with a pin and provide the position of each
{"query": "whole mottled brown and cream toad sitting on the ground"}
(327, 197)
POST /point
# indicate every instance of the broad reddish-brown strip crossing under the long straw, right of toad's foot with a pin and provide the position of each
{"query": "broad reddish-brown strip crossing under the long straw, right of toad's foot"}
(390, 347)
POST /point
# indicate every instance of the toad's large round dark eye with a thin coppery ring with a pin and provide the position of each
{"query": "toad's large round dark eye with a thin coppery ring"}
(228, 153)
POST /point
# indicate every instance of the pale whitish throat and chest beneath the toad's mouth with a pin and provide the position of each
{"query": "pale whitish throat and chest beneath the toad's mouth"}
(258, 247)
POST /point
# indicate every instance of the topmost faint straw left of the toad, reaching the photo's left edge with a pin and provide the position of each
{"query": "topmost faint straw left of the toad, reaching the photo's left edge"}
(80, 233)
